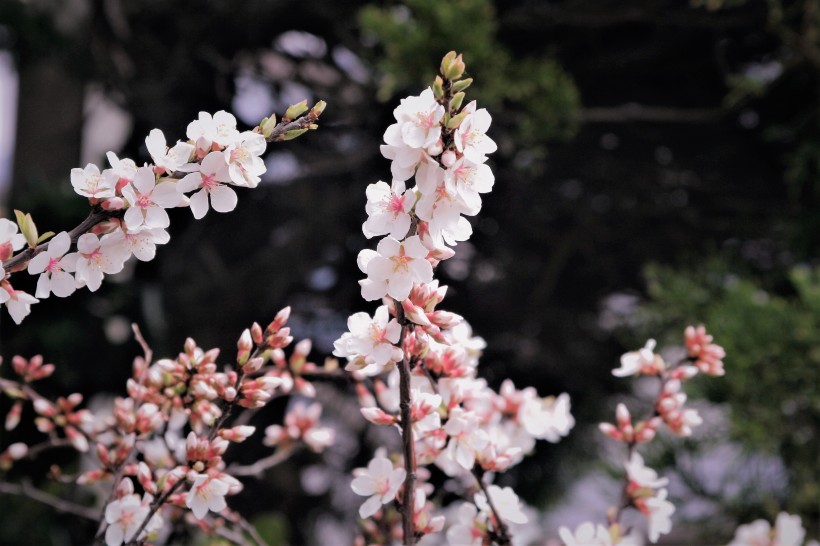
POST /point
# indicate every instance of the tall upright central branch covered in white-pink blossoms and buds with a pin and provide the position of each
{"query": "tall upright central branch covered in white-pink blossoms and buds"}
(415, 364)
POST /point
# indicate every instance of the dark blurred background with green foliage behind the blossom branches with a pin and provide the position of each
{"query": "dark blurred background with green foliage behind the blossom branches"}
(658, 166)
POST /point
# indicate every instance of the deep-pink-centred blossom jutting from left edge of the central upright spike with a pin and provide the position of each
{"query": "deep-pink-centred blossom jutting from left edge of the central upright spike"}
(388, 210)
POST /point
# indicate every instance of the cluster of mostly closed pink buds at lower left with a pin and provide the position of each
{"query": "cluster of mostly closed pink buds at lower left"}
(169, 436)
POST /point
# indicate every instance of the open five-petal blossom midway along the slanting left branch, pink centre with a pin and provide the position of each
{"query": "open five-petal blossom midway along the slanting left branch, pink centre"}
(148, 201)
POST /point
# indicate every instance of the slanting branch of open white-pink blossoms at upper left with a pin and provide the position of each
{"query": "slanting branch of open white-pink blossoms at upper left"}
(129, 204)
